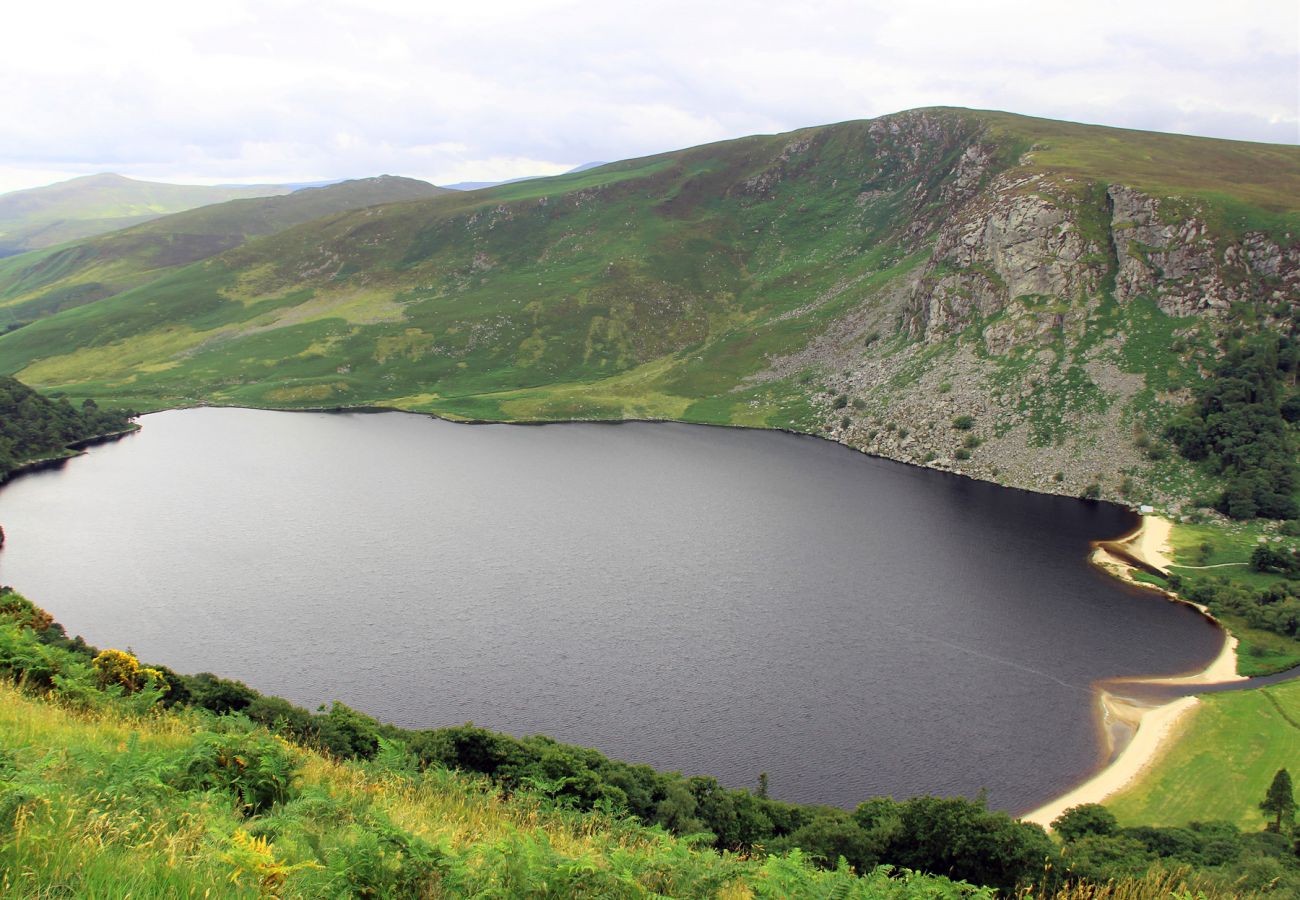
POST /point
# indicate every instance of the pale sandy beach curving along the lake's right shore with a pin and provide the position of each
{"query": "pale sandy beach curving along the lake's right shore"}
(1154, 728)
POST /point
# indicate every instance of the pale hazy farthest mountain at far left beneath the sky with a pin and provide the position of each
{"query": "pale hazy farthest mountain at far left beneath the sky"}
(94, 205)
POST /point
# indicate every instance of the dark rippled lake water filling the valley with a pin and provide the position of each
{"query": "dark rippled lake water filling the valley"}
(705, 600)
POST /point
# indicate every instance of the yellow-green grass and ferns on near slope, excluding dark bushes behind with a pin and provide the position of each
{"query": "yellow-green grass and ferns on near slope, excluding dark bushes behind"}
(84, 807)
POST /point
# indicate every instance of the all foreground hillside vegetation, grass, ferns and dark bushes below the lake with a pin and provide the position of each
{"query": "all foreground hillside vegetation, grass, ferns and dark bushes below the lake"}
(123, 778)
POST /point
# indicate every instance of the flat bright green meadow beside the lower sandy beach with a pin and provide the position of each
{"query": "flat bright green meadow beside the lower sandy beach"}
(1223, 763)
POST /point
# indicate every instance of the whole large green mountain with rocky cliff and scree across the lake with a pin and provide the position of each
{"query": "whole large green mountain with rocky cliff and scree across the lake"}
(1019, 300)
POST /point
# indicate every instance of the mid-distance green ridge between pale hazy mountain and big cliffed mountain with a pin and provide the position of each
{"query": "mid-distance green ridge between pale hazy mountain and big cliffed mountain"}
(42, 283)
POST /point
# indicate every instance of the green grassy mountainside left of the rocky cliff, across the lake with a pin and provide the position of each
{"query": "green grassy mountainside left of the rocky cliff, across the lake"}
(489, 305)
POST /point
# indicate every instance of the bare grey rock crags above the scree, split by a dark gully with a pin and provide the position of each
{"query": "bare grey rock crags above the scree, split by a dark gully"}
(1019, 240)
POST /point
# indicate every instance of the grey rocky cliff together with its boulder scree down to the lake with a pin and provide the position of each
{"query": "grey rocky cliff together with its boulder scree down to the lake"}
(1032, 318)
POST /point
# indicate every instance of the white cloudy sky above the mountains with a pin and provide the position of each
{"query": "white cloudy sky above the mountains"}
(284, 90)
